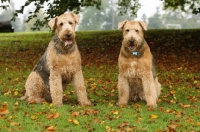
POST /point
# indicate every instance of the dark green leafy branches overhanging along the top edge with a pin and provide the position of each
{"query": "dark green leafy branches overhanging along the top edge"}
(130, 7)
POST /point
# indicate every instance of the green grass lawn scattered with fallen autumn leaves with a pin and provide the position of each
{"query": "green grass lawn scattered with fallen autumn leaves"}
(178, 106)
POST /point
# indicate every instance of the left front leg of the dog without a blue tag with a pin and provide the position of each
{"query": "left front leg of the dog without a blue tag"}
(56, 90)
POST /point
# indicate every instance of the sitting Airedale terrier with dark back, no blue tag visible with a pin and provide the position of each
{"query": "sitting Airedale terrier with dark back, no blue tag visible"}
(59, 65)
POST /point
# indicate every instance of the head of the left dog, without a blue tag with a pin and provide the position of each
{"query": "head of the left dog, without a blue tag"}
(64, 26)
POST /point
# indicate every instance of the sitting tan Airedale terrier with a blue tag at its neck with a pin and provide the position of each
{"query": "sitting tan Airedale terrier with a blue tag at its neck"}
(137, 77)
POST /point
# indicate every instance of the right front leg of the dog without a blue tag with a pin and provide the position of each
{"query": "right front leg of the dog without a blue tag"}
(80, 89)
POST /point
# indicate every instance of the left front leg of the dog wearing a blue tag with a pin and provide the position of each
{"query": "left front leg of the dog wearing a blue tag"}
(123, 89)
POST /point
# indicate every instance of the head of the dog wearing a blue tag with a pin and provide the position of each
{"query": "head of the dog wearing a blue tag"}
(132, 33)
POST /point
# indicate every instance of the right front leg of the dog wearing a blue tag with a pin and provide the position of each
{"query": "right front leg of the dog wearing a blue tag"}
(150, 92)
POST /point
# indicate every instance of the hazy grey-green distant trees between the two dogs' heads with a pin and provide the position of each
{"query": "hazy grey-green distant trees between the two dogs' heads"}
(104, 19)
